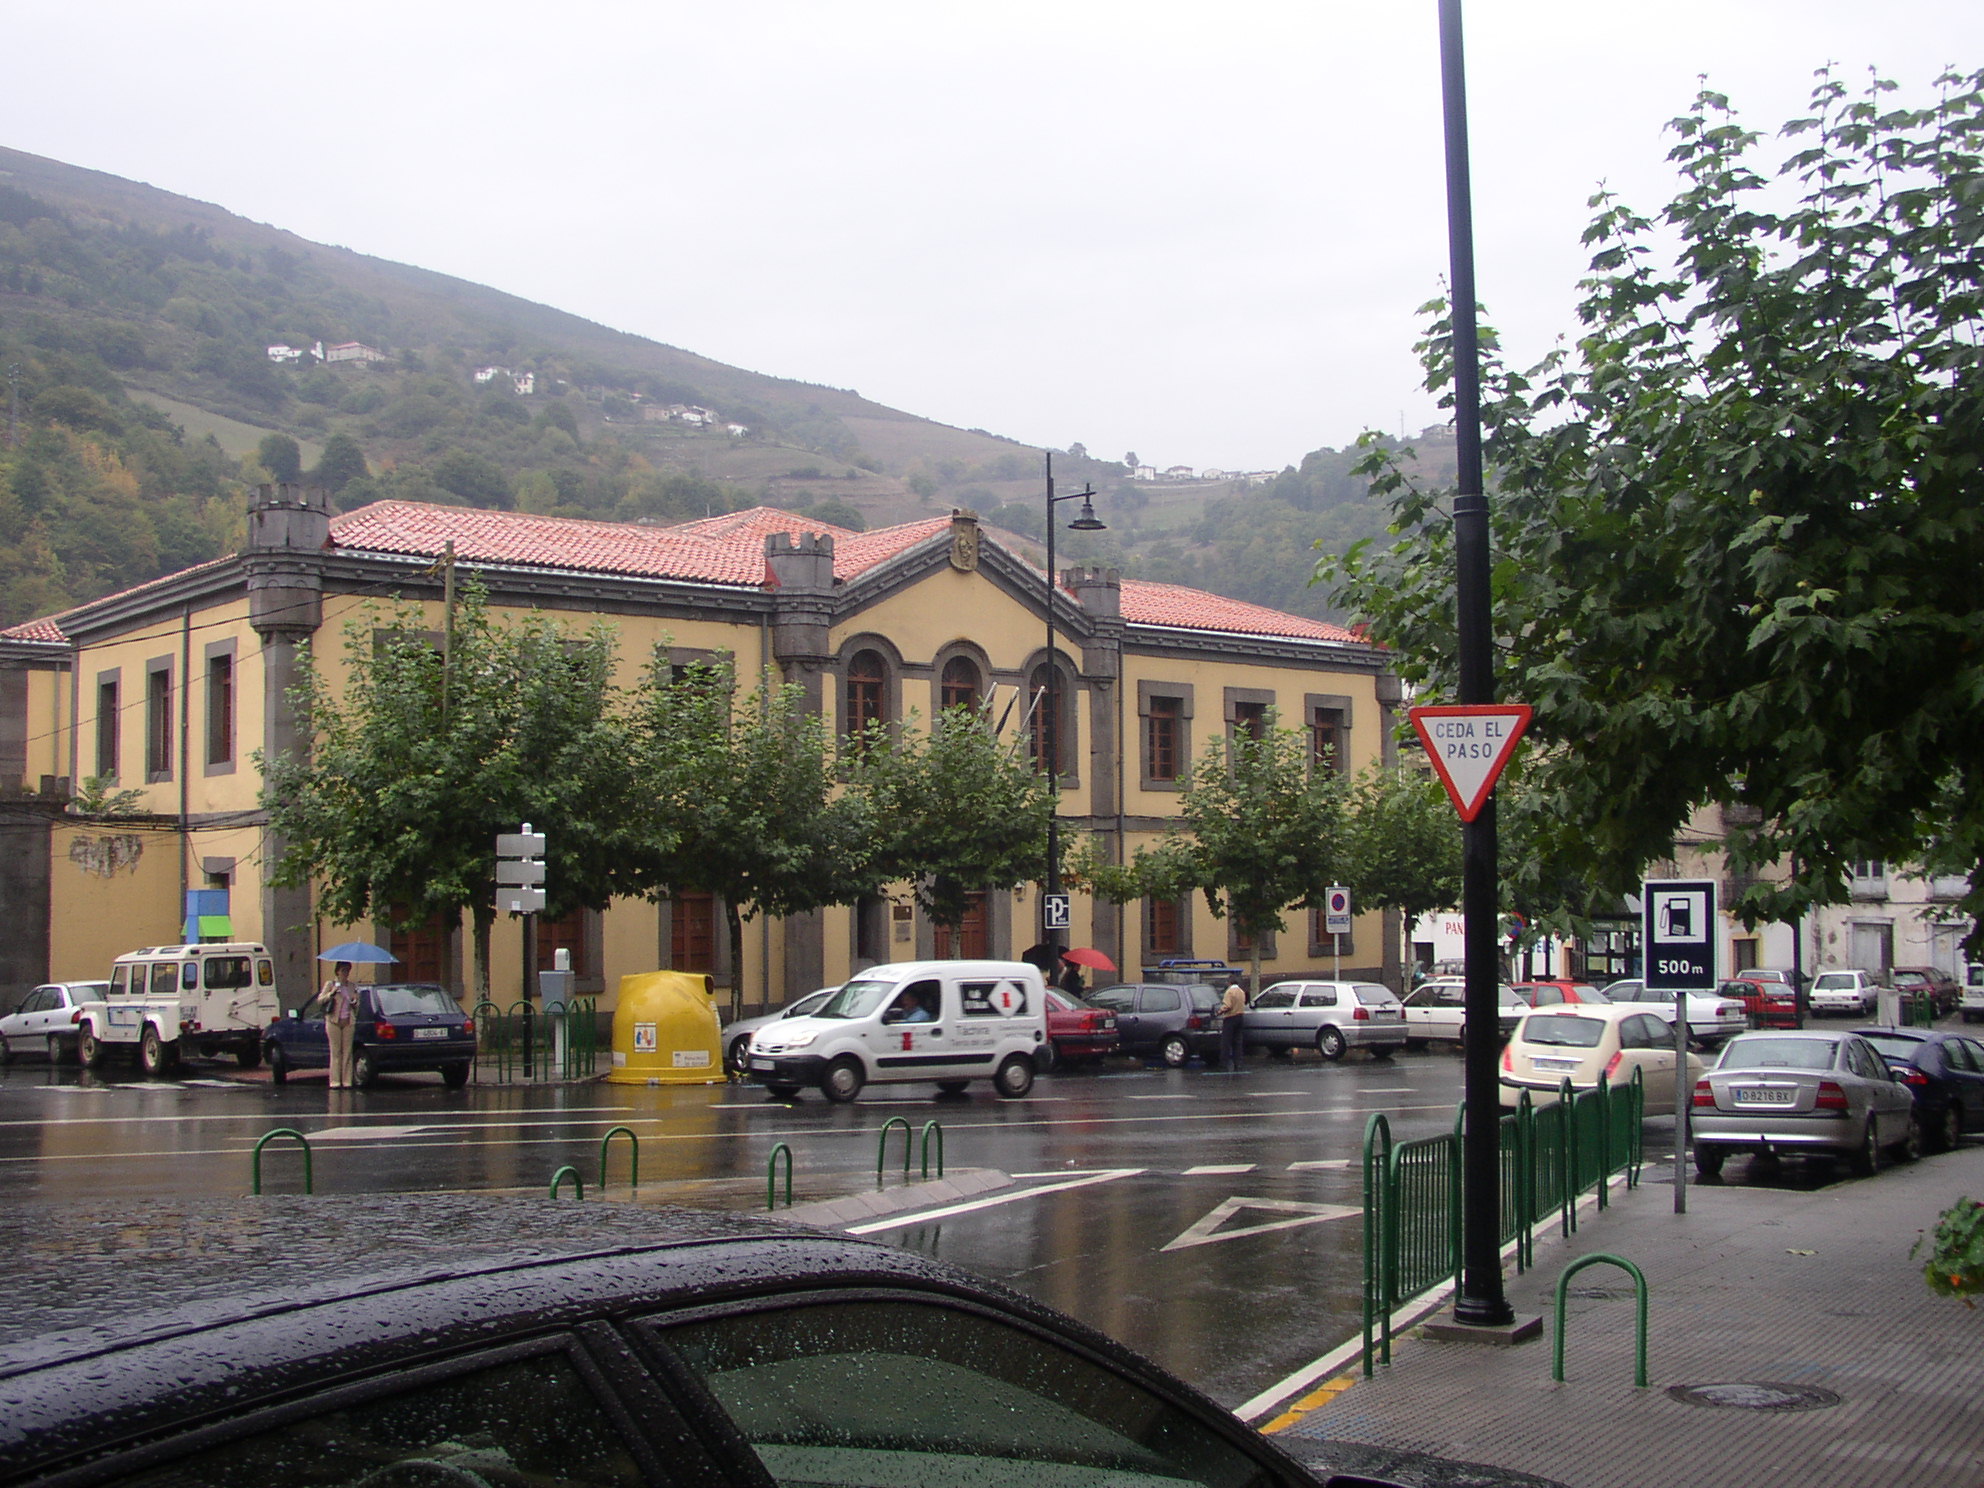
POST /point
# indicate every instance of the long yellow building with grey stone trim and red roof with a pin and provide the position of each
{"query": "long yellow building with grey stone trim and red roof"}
(168, 689)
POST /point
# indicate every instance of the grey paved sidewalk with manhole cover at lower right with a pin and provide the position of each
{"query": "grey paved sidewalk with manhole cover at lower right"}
(1749, 1287)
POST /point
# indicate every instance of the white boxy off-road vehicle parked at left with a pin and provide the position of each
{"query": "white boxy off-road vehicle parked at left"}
(170, 1001)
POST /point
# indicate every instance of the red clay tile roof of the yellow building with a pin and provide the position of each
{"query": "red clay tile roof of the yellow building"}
(713, 551)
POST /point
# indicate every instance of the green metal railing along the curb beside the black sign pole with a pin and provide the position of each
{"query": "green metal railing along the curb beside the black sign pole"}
(1549, 1156)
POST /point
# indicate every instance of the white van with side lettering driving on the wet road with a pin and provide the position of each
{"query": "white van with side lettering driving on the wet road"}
(916, 1021)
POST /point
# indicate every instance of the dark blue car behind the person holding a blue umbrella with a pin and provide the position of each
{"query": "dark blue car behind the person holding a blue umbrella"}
(402, 1029)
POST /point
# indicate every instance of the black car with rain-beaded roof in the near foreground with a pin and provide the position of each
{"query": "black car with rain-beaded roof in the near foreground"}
(507, 1346)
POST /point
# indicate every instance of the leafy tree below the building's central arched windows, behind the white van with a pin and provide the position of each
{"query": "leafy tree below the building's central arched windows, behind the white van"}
(951, 812)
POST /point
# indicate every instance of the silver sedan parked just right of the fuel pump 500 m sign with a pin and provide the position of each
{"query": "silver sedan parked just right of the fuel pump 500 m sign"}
(1802, 1092)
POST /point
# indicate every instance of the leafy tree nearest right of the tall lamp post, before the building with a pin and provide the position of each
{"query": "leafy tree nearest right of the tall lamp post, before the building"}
(1261, 830)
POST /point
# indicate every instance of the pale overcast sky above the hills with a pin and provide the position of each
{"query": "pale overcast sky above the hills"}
(1189, 231)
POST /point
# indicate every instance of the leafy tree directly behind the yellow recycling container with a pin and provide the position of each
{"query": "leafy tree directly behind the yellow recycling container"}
(739, 801)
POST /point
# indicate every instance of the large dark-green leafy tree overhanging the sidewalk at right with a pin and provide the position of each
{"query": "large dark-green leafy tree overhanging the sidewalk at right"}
(1739, 527)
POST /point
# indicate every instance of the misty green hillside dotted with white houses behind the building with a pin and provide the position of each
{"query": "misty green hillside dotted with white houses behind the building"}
(136, 330)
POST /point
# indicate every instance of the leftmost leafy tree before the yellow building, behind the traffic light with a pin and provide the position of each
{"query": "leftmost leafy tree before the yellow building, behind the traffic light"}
(418, 763)
